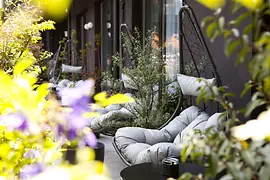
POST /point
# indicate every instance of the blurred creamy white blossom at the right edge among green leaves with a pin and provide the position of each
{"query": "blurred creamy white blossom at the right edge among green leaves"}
(255, 129)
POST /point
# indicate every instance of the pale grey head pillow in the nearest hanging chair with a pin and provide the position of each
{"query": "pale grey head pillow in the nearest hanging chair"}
(190, 85)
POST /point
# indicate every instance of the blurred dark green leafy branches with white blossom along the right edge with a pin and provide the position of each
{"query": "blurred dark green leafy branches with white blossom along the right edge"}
(237, 152)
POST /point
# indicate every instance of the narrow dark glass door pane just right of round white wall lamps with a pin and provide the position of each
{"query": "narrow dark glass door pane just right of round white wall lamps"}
(106, 35)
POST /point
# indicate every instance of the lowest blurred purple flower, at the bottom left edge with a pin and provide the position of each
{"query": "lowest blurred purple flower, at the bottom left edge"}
(31, 170)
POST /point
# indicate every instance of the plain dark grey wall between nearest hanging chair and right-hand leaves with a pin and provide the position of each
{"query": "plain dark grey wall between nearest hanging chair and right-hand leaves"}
(232, 76)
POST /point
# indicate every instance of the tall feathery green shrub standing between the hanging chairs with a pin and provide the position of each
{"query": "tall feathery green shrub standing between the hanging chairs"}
(146, 72)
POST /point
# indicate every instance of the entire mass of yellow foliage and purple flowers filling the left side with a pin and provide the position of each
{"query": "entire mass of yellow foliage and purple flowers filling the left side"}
(35, 130)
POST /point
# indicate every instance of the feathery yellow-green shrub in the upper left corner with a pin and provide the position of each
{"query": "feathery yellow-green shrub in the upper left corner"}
(20, 32)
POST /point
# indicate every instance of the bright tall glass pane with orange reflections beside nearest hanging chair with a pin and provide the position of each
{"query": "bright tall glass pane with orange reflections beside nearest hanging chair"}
(171, 30)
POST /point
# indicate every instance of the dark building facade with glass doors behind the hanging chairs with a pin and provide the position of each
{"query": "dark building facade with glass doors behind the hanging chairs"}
(98, 21)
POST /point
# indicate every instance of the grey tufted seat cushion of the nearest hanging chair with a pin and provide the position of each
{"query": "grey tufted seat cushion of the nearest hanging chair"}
(141, 145)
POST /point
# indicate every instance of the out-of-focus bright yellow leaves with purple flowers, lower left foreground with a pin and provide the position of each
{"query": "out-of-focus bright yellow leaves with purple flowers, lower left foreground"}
(30, 142)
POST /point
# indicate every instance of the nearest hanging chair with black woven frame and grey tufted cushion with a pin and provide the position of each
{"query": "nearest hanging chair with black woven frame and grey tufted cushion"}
(137, 145)
